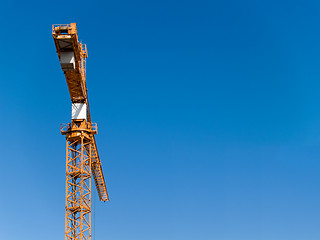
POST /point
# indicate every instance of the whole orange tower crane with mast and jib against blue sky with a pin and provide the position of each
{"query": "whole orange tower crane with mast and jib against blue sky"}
(82, 158)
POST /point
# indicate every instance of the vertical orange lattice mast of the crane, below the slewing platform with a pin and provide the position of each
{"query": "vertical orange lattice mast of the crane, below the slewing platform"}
(78, 186)
